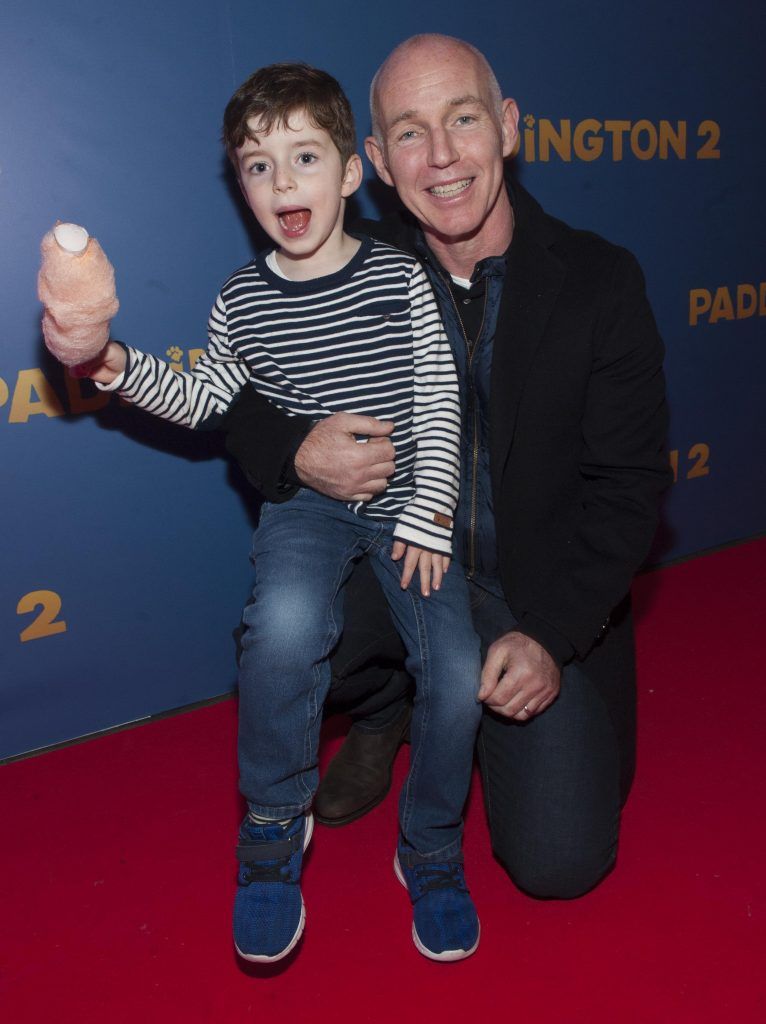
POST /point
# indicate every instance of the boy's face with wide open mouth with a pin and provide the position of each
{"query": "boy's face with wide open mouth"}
(293, 182)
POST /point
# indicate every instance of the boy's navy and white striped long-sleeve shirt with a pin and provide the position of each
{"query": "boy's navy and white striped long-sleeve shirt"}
(367, 339)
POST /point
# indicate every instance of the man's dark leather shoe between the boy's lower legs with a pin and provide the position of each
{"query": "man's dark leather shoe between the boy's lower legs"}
(360, 775)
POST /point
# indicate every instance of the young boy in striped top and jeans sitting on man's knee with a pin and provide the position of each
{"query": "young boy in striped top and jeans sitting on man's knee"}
(330, 322)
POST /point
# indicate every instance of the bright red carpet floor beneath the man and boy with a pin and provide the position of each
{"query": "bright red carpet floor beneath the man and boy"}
(117, 868)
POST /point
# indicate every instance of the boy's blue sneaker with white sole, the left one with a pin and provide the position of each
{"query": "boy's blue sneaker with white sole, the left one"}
(269, 907)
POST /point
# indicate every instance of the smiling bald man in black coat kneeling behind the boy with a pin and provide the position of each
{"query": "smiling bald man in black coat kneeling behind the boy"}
(564, 429)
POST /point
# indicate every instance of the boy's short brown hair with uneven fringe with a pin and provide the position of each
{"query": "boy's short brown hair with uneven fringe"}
(273, 94)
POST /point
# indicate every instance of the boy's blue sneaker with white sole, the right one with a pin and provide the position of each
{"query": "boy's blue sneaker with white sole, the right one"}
(446, 926)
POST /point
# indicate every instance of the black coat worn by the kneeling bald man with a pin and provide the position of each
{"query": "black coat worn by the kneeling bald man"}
(578, 424)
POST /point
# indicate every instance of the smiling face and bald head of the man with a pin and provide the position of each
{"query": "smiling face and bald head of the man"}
(443, 140)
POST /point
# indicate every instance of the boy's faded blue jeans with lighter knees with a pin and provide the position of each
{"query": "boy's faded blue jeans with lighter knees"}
(304, 552)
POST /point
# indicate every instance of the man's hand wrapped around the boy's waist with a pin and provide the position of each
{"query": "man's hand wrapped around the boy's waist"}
(333, 462)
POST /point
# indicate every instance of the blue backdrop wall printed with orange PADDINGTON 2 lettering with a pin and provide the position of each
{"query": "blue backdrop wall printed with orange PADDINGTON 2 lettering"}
(125, 541)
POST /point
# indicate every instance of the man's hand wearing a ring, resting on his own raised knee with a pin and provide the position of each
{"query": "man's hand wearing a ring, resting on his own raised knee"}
(520, 678)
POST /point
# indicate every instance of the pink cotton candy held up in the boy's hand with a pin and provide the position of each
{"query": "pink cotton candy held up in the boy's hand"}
(78, 292)
